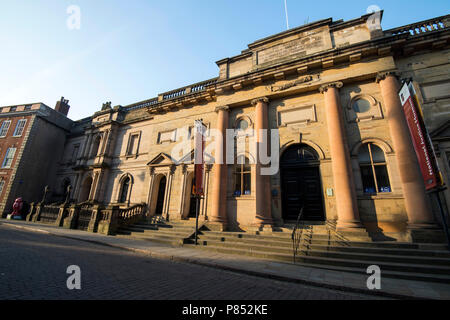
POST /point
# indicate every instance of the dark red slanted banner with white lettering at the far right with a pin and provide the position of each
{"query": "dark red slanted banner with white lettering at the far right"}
(421, 140)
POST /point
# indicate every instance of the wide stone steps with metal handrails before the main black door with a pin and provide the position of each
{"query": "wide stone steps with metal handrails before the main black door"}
(322, 247)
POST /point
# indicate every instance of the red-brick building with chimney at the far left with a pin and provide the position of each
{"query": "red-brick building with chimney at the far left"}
(32, 138)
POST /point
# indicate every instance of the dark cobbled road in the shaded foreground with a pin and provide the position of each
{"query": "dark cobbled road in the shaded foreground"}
(33, 266)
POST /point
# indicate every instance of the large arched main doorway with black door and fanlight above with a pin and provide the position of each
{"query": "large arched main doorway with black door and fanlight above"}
(300, 184)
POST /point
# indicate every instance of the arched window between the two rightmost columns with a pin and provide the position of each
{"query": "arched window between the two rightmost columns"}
(374, 173)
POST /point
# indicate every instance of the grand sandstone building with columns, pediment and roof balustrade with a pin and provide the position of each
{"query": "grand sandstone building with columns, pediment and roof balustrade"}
(330, 88)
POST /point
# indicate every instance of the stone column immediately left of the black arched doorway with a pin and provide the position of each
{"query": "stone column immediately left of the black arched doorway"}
(262, 182)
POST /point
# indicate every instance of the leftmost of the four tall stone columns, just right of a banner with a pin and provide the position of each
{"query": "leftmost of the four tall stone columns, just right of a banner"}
(219, 190)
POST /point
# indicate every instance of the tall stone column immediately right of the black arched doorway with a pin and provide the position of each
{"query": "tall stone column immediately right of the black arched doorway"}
(346, 204)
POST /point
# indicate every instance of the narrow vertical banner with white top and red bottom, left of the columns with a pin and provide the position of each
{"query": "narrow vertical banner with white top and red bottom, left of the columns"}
(199, 164)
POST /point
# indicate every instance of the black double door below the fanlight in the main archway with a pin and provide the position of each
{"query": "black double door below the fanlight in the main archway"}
(301, 188)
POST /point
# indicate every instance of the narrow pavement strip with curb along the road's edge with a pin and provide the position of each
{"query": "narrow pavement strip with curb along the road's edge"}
(175, 258)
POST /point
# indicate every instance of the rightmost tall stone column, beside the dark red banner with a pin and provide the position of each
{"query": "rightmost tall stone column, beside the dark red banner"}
(417, 205)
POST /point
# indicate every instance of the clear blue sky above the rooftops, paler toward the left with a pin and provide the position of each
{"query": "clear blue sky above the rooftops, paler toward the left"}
(128, 51)
